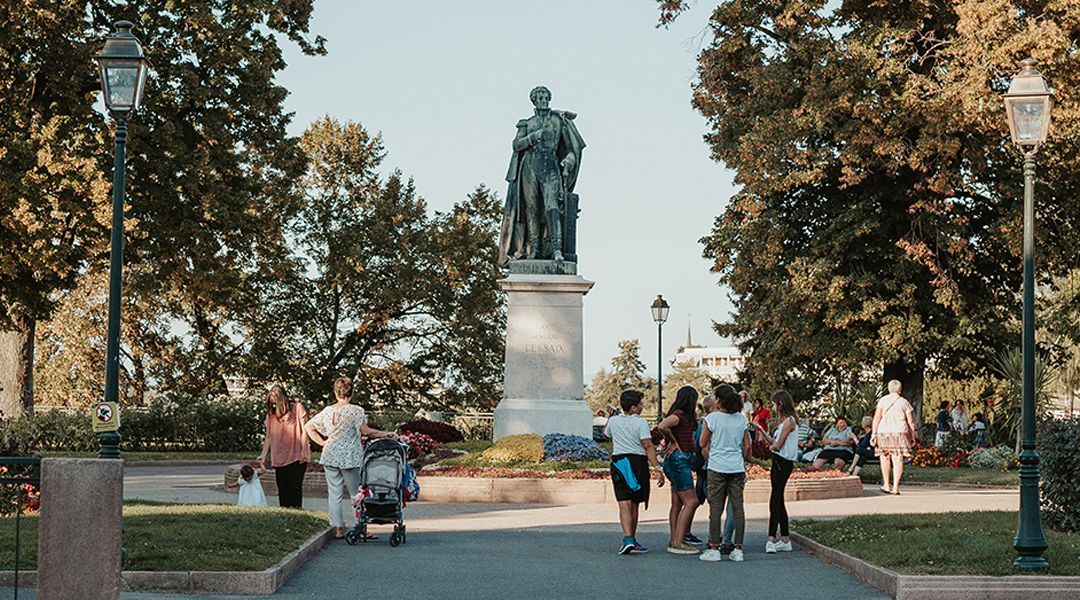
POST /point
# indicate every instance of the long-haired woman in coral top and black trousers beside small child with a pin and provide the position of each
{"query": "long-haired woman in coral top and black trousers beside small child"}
(288, 446)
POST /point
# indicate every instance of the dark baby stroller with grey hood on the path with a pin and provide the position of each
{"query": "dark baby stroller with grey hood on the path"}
(383, 489)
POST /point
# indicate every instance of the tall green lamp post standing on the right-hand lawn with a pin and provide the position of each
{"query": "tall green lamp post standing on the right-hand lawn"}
(1028, 105)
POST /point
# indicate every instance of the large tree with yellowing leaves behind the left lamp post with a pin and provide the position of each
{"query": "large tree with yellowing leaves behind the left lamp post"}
(210, 168)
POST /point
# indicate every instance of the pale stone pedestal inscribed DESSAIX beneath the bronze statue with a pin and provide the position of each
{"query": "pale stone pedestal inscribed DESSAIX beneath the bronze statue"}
(544, 378)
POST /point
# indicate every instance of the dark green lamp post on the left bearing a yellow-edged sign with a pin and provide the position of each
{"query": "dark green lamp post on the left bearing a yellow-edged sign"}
(124, 77)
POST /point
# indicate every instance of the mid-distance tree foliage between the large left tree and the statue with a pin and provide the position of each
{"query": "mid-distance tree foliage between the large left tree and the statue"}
(381, 288)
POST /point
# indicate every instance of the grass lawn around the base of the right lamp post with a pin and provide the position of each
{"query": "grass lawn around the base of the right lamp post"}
(940, 544)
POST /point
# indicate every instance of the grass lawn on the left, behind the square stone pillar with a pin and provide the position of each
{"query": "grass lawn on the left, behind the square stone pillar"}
(190, 538)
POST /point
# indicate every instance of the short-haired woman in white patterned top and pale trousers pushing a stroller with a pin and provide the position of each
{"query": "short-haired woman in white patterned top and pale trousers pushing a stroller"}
(340, 429)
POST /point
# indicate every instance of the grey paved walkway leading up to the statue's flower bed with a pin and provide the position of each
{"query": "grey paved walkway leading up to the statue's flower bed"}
(498, 552)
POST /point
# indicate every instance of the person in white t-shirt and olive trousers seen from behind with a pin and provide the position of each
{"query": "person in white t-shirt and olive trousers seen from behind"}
(725, 435)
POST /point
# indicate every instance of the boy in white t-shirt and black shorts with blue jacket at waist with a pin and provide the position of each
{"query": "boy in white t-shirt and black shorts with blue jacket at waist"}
(632, 453)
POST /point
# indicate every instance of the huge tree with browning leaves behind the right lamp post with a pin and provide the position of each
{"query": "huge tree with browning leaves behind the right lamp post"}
(877, 222)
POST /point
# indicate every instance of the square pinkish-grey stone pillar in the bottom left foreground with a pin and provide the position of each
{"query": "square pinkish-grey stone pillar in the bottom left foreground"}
(80, 529)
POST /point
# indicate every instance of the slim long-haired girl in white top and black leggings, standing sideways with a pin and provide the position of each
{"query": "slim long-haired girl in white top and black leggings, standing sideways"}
(786, 447)
